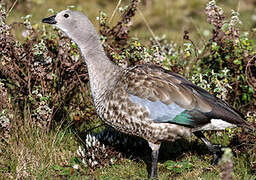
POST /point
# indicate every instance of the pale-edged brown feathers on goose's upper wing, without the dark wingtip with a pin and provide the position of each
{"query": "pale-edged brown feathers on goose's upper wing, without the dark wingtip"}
(163, 87)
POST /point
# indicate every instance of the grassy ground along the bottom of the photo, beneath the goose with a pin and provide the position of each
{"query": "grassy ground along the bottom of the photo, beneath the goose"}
(35, 154)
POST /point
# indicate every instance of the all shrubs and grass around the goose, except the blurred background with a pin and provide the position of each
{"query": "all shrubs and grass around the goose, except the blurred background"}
(46, 111)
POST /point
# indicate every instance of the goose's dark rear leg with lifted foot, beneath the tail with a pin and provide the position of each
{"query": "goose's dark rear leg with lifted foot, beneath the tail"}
(213, 148)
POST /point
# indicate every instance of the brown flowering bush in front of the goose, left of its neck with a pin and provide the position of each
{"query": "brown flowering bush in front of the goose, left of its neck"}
(44, 75)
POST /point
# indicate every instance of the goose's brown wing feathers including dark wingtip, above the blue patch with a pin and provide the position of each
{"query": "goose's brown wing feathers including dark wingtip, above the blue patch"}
(157, 84)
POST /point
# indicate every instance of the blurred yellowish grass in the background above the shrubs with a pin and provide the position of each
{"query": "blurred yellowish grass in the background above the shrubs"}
(163, 16)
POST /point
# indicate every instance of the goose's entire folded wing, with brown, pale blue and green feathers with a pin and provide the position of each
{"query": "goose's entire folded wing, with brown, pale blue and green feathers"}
(170, 98)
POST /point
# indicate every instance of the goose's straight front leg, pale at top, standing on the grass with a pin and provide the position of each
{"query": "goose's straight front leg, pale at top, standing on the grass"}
(154, 159)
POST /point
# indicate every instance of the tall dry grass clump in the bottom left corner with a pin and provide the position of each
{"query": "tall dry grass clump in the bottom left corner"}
(31, 152)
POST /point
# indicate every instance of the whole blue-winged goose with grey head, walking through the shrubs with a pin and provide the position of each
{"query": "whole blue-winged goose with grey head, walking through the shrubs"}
(146, 100)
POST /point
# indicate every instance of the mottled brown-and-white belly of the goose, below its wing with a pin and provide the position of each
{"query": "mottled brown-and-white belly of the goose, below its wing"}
(137, 122)
